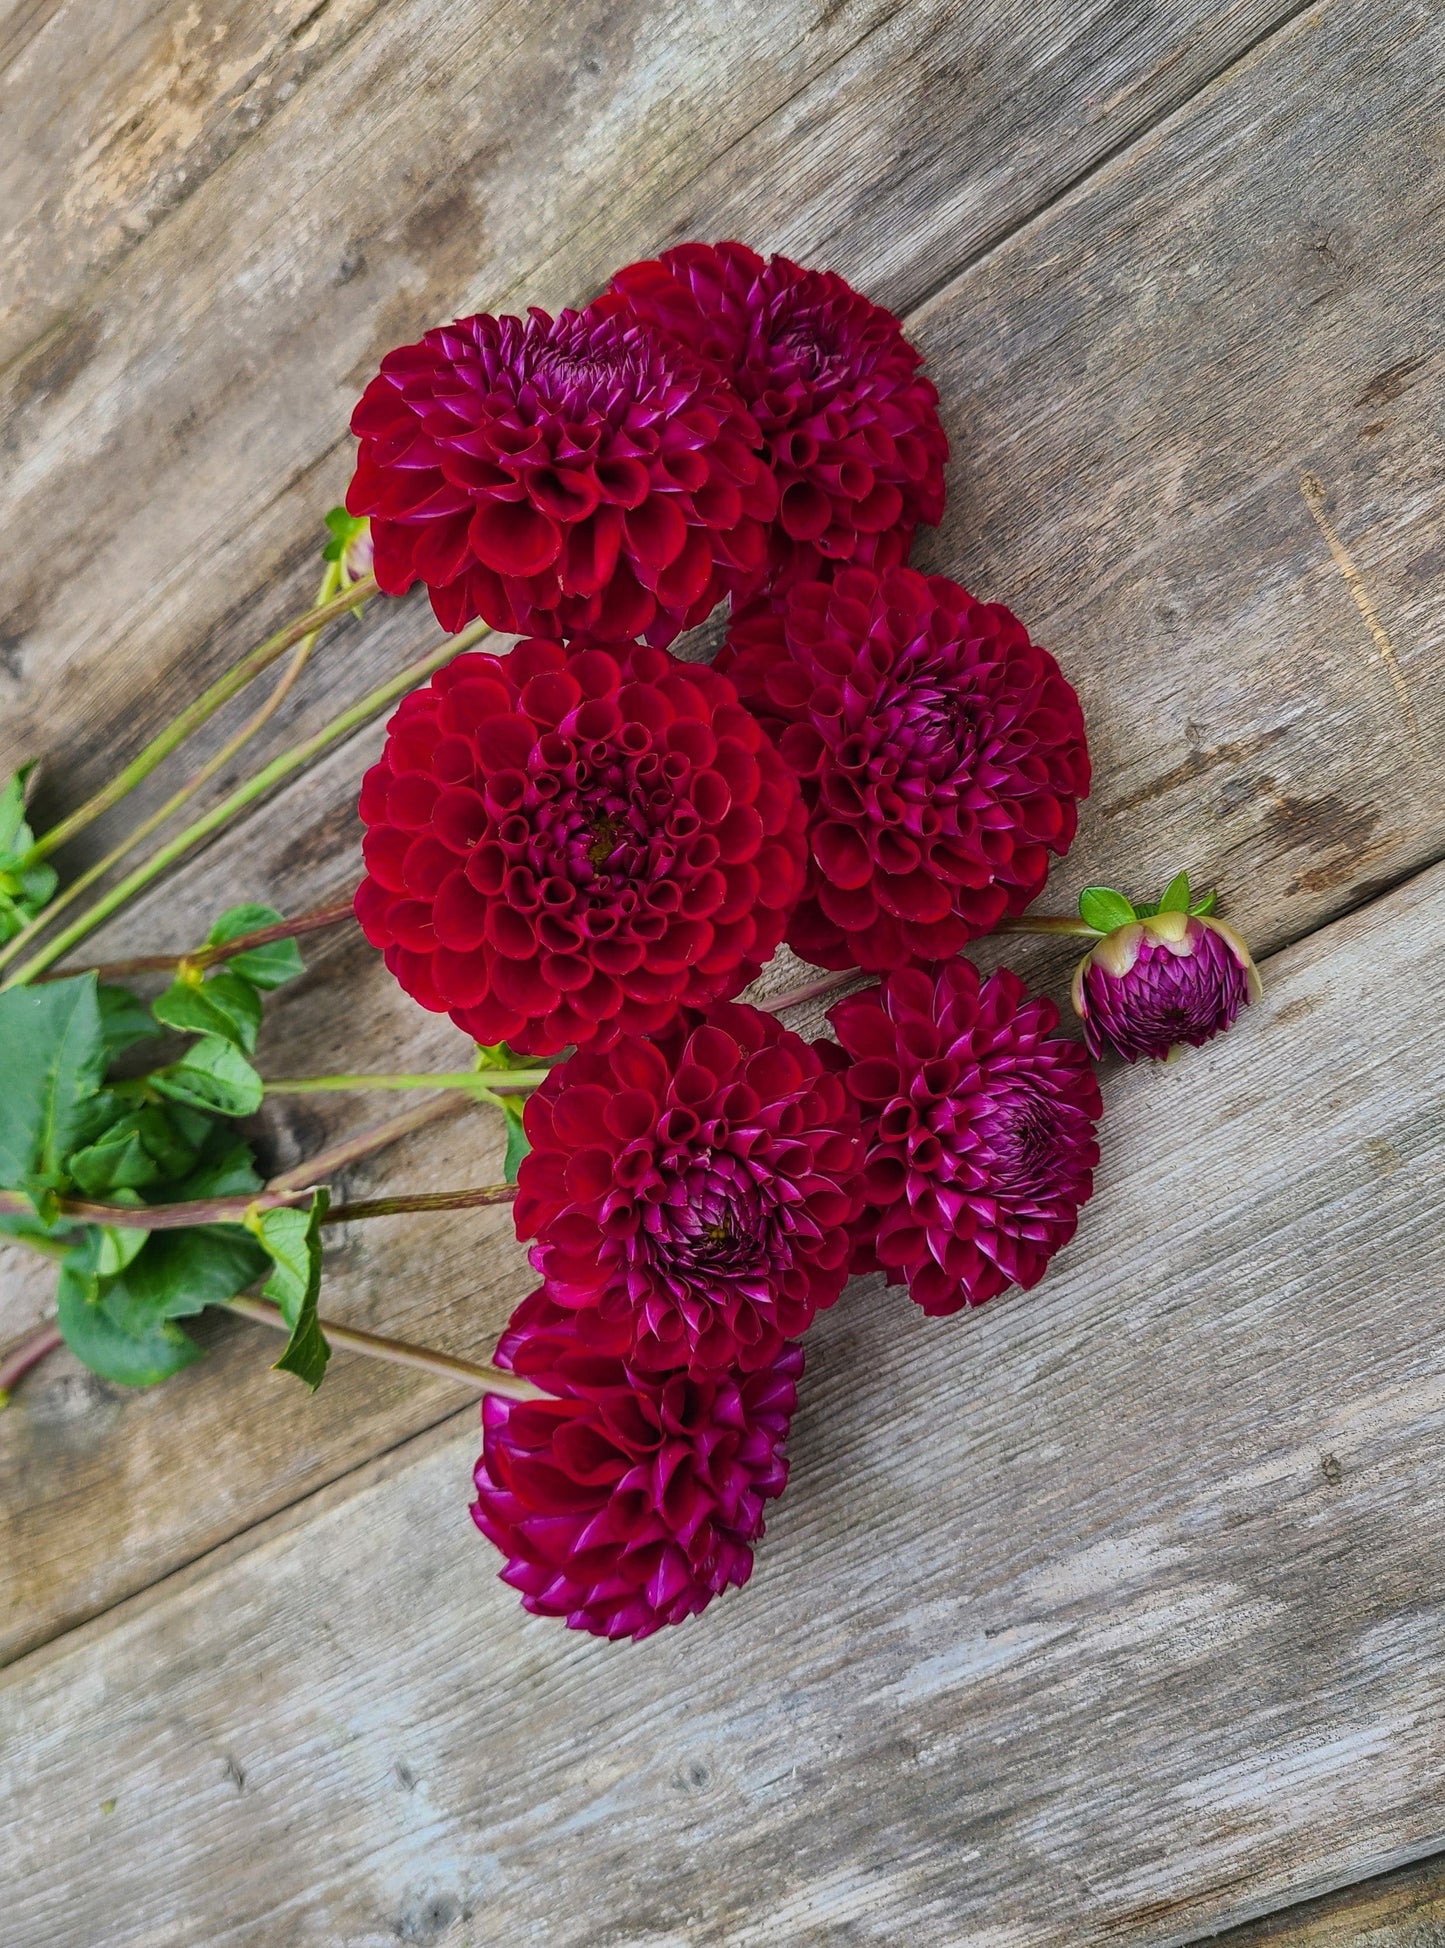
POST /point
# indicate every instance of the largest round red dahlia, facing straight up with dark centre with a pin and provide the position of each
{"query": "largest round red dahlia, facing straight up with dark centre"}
(570, 848)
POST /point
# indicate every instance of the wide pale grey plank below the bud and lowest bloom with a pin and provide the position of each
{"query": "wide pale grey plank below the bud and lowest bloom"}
(1109, 1612)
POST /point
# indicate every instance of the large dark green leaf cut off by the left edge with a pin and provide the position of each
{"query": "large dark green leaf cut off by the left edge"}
(52, 1065)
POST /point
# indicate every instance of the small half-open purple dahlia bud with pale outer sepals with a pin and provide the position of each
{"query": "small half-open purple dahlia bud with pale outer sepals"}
(1164, 981)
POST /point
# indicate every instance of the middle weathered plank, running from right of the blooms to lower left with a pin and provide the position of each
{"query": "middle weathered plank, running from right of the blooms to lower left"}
(1298, 805)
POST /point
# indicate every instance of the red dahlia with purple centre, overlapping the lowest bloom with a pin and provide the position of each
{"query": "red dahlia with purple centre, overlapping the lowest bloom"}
(690, 1199)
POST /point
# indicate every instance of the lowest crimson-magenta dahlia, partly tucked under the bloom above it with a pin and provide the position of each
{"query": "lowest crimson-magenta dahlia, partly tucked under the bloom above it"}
(628, 1503)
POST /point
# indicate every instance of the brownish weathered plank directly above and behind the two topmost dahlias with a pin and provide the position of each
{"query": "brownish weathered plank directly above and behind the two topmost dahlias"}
(182, 431)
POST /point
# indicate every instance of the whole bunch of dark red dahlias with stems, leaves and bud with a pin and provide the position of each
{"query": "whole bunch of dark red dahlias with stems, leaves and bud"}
(583, 850)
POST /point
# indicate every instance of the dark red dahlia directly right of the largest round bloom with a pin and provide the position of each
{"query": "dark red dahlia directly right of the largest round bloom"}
(942, 755)
